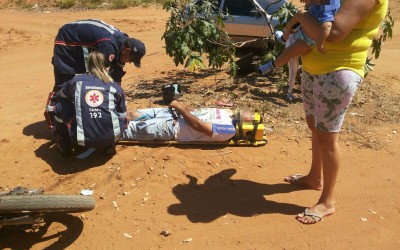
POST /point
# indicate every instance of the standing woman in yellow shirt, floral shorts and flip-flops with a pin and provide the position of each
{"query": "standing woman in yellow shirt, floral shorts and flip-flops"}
(329, 82)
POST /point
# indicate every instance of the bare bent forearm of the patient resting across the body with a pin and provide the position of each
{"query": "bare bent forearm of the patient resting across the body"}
(193, 121)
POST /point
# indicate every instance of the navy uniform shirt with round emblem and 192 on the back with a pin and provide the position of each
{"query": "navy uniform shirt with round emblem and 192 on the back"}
(97, 117)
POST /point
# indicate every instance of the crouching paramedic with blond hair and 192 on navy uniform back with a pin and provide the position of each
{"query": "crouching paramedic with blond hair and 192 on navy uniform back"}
(91, 109)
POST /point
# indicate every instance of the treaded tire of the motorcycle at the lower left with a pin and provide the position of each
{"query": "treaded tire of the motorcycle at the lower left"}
(47, 203)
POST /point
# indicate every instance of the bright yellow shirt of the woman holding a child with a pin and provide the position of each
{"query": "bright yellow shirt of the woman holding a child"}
(352, 51)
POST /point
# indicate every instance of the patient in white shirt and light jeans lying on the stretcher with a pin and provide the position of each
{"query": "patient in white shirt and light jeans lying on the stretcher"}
(206, 124)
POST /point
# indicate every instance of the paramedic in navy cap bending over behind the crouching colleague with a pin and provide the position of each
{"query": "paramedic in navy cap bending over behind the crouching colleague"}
(75, 40)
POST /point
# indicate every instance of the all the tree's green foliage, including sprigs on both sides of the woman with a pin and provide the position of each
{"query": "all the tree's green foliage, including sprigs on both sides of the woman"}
(195, 32)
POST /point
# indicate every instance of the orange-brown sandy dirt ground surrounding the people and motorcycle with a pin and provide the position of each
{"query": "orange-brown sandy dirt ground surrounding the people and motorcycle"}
(235, 197)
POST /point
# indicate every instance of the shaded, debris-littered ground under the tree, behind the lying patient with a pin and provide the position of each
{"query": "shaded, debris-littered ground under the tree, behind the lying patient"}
(249, 86)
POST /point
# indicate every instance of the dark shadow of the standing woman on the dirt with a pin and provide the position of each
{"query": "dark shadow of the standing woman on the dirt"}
(221, 195)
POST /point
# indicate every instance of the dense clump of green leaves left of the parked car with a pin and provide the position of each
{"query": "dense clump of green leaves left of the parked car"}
(195, 31)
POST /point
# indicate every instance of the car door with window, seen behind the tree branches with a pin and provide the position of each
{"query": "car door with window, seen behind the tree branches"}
(246, 21)
